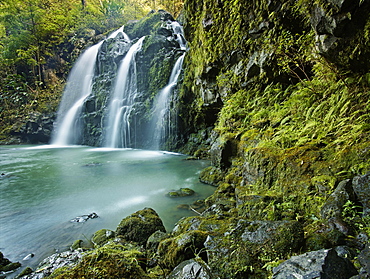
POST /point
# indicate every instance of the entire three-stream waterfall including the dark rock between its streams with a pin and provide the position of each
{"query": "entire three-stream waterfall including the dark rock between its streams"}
(113, 96)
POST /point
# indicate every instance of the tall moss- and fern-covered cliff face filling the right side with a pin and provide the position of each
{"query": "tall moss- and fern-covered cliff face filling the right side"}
(276, 94)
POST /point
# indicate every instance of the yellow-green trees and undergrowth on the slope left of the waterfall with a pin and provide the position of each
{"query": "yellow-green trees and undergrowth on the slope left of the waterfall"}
(36, 38)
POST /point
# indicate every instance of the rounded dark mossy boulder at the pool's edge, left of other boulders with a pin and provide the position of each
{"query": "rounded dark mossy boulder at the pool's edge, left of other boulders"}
(139, 226)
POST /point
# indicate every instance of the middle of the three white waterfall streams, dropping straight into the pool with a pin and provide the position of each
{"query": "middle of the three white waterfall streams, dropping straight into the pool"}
(118, 132)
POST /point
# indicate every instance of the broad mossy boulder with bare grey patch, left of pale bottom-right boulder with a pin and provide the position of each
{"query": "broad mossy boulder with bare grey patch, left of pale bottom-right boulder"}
(245, 247)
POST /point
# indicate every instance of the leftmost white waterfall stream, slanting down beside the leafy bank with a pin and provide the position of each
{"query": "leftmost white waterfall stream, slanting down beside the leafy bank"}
(78, 88)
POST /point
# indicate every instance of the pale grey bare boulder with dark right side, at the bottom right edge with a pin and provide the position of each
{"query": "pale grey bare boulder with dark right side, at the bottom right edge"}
(316, 264)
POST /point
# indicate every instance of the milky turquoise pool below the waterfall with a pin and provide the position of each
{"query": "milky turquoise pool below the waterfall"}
(43, 188)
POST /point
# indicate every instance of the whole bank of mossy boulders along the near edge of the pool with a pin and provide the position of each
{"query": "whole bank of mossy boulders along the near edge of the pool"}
(220, 244)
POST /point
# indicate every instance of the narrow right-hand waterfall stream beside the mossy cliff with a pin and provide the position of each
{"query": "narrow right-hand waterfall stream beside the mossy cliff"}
(162, 106)
